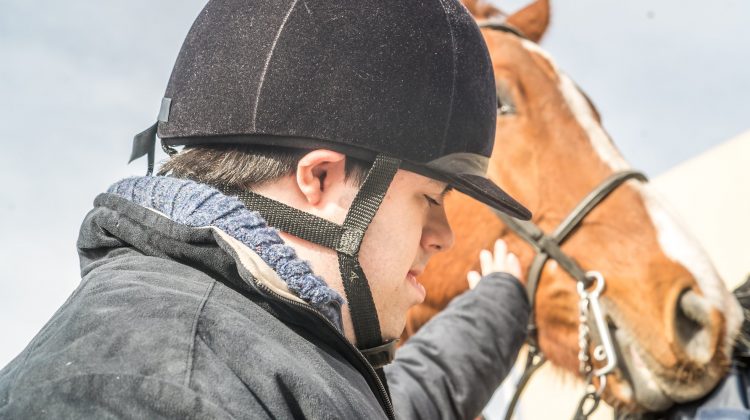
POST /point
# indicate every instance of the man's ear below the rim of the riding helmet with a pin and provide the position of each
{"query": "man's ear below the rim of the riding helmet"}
(319, 172)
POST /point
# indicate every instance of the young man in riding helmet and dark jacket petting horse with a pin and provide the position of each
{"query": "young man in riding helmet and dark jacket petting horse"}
(341, 125)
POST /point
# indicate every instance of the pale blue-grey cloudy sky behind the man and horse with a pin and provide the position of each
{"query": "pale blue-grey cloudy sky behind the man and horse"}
(78, 78)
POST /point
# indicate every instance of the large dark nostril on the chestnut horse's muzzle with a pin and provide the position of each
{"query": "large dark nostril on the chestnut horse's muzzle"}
(693, 326)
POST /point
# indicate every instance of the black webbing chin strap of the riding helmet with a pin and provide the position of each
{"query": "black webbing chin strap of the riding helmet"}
(346, 240)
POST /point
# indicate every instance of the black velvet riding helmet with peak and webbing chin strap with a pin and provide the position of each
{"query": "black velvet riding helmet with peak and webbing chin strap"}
(402, 83)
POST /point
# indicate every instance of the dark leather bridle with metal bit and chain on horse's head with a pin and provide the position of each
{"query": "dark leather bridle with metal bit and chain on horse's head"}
(548, 246)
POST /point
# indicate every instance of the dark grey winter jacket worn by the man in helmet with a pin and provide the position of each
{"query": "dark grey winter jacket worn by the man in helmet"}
(180, 322)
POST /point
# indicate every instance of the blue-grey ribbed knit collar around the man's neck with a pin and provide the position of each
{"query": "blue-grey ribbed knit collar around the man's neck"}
(199, 205)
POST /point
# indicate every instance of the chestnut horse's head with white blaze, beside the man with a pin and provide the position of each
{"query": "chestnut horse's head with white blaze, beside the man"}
(670, 316)
